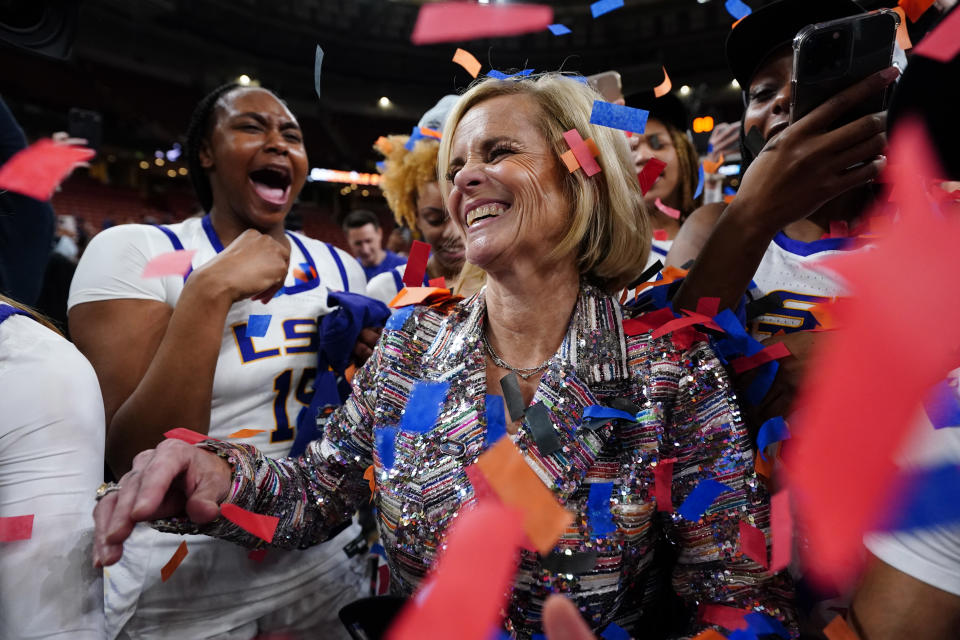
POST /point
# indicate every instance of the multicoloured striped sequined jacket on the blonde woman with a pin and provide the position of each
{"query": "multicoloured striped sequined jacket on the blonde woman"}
(689, 414)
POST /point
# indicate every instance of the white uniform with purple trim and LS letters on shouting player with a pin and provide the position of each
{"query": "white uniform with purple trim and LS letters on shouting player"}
(260, 383)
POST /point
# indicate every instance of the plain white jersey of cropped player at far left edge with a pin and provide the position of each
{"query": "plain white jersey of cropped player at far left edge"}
(51, 462)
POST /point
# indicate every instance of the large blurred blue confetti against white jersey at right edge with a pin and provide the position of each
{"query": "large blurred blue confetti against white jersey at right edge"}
(926, 498)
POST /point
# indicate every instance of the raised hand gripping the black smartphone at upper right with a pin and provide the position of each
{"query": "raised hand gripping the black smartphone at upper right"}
(808, 164)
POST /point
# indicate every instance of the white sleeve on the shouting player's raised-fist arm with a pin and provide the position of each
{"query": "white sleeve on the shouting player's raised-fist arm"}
(113, 261)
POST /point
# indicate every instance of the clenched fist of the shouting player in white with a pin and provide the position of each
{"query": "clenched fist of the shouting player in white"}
(254, 265)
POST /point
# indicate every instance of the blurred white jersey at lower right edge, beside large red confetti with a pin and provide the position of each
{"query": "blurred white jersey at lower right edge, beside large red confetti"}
(929, 555)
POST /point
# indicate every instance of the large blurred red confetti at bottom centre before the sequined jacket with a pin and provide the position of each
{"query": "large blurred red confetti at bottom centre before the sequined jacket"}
(466, 590)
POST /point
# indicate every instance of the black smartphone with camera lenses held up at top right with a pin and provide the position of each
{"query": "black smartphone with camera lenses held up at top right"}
(830, 56)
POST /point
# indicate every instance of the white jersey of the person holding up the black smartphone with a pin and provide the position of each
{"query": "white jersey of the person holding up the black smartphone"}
(789, 268)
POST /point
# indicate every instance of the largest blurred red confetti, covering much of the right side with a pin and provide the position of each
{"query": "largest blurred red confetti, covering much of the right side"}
(855, 415)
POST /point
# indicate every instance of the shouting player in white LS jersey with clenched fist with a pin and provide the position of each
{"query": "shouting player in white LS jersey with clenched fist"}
(175, 351)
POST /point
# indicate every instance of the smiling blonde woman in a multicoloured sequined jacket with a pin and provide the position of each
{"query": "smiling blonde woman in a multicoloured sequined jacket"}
(555, 245)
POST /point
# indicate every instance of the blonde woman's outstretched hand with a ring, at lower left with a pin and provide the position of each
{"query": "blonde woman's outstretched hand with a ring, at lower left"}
(172, 480)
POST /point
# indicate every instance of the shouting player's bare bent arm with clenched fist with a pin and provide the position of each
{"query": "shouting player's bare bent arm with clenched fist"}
(156, 364)
